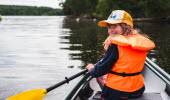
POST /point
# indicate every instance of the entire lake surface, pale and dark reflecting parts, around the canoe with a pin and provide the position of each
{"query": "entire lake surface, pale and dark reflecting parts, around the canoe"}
(39, 51)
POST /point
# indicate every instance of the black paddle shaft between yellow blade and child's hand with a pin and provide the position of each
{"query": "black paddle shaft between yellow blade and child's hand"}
(66, 80)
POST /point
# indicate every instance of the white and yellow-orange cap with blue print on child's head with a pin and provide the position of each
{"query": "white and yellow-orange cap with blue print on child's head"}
(117, 16)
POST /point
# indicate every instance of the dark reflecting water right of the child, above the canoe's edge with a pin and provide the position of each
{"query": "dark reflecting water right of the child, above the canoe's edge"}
(159, 33)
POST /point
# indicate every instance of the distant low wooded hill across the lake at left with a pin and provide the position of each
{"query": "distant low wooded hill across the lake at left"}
(28, 10)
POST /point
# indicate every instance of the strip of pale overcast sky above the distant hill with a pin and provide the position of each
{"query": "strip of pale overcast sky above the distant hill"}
(46, 3)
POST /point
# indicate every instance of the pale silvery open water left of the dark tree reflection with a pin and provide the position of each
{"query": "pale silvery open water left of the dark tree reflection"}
(31, 56)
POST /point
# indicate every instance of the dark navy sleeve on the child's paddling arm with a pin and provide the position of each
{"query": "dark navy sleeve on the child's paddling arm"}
(106, 64)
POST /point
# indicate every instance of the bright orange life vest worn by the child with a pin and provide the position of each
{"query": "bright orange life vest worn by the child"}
(132, 51)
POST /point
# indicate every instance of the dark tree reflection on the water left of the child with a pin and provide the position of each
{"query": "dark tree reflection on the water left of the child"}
(87, 38)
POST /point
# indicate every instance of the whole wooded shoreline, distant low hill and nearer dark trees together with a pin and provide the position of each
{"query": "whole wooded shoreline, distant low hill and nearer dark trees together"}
(96, 8)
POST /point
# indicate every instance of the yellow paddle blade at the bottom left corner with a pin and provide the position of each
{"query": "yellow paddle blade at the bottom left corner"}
(37, 94)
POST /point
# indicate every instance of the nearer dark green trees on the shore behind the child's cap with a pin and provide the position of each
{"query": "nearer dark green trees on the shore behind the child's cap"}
(102, 8)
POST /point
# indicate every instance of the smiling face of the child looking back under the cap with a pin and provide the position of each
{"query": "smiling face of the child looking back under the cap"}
(114, 29)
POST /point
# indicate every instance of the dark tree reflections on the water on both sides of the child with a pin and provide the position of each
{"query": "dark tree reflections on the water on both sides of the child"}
(87, 38)
